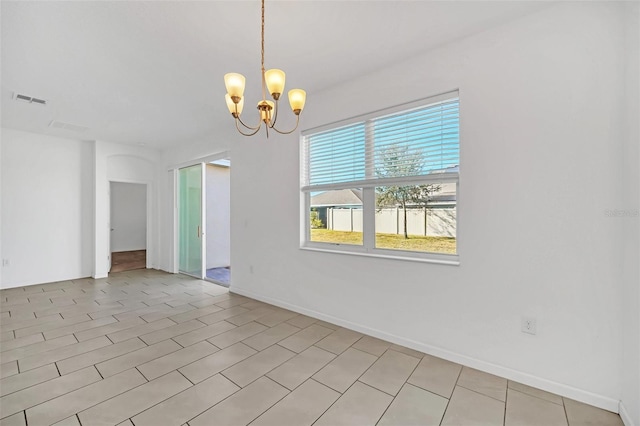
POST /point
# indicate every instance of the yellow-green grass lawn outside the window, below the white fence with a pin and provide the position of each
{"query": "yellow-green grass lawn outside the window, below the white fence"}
(388, 241)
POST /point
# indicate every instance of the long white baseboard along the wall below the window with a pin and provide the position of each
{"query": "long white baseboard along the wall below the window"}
(586, 397)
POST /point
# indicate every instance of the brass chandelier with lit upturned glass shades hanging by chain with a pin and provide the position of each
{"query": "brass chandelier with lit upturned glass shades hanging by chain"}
(273, 81)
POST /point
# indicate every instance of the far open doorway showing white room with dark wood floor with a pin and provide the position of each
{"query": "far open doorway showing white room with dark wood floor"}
(128, 219)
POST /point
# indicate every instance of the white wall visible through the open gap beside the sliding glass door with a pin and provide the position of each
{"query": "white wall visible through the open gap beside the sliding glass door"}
(218, 226)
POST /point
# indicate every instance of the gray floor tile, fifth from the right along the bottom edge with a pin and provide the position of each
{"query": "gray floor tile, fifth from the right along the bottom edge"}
(361, 405)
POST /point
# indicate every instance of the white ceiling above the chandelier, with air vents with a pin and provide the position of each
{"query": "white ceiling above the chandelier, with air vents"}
(152, 72)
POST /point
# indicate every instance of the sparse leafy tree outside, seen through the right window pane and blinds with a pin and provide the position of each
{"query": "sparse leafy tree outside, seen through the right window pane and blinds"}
(396, 160)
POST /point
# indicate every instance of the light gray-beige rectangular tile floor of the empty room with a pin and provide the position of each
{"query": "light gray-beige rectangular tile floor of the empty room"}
(149, 348)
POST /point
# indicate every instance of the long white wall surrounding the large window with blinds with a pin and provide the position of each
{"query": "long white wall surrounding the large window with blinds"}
(542, 100)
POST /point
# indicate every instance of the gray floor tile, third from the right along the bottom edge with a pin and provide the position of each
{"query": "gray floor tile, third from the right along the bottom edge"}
(471, 408)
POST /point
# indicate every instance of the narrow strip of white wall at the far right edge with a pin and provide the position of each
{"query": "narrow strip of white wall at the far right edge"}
(630, 225)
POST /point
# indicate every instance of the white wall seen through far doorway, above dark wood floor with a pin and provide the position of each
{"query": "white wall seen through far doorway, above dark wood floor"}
(128, 216)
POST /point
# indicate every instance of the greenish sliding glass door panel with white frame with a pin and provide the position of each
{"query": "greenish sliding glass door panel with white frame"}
(190, 214)
